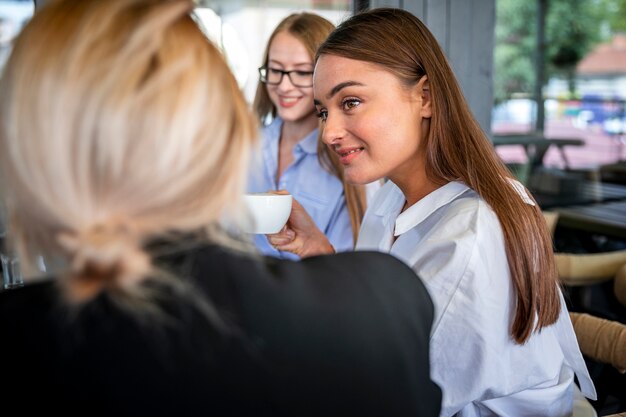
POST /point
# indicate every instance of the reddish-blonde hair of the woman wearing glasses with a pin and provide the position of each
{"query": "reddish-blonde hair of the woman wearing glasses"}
(311, 30)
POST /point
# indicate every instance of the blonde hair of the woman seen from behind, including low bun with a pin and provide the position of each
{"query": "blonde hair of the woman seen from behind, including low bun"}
(120, 124)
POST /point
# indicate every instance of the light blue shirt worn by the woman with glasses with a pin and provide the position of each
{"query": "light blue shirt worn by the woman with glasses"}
(316, 189)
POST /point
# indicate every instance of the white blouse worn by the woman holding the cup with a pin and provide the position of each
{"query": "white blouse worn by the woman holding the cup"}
(453, 240)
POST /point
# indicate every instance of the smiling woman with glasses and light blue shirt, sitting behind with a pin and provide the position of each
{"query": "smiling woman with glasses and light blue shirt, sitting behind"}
(292, 157)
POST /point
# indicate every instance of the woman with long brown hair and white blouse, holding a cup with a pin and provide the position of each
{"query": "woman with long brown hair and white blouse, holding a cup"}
(502, 342)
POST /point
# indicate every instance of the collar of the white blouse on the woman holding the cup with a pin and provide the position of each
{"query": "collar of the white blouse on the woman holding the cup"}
(419, 211)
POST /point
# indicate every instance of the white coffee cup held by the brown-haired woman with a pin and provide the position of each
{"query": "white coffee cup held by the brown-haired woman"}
(269, 212)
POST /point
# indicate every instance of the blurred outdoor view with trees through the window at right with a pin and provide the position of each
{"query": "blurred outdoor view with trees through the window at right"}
(569, 56)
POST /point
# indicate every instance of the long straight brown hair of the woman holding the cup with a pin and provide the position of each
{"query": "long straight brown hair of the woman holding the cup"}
(458, 149)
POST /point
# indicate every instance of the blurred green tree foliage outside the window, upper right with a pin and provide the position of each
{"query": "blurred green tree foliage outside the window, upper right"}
(573, 27)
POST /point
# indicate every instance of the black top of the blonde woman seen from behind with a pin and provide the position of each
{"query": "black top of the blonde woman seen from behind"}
(339, 335)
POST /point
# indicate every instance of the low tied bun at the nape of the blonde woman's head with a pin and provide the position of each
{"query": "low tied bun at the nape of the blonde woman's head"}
(103, 257)
